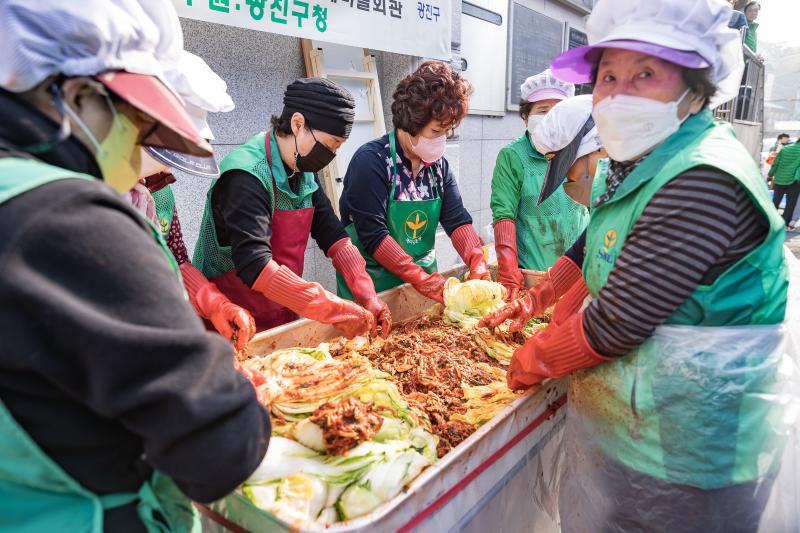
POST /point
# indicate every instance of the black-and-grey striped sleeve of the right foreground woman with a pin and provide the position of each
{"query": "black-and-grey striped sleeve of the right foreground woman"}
(692, 230)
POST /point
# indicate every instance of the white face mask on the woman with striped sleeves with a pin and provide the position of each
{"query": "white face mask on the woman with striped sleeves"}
(630, 126)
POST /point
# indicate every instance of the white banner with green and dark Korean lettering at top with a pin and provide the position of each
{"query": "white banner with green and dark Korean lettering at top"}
(417, 28)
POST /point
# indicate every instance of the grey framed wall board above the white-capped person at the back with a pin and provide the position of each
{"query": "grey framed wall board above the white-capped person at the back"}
(535, 40)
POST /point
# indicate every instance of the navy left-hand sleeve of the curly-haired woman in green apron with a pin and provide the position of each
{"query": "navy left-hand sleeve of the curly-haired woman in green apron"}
(365, 196)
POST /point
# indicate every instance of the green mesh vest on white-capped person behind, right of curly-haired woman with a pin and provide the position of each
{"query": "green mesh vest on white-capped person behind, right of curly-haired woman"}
(546, 231)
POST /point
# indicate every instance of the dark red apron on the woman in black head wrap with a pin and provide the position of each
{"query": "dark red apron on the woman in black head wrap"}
(290, 232)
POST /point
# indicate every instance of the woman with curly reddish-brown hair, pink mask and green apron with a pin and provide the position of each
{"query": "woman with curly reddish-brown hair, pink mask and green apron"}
(398, 188)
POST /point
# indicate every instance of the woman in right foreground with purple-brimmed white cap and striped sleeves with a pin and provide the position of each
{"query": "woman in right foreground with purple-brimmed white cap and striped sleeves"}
(677, 420)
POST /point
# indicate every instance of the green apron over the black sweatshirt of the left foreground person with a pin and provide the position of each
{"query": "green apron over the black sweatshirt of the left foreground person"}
(36, 494)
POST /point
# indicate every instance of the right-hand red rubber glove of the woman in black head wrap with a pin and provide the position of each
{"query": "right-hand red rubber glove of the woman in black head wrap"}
(348, 262)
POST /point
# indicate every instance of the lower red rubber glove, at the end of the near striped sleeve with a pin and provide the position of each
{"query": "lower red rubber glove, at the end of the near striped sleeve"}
(555, 352)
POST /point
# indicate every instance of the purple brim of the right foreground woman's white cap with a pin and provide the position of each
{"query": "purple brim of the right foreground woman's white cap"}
(576, 65)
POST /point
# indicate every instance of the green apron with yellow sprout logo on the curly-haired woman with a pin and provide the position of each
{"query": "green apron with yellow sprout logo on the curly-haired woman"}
(411, 223)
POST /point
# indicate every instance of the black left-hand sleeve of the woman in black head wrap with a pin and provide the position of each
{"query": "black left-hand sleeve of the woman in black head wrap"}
(243, 217)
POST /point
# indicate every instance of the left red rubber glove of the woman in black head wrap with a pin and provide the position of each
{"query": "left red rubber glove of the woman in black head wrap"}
(310, 300)
